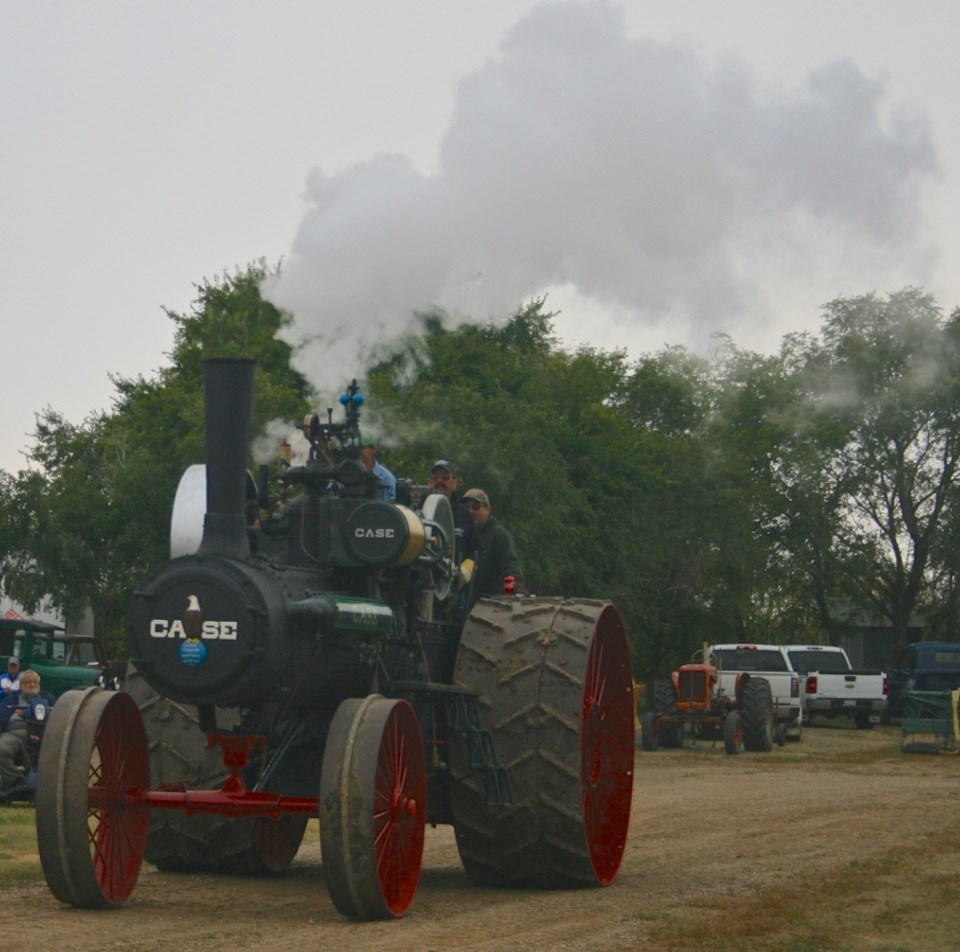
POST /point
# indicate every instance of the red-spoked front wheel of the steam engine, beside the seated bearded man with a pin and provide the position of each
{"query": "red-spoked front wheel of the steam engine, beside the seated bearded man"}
(91, 820)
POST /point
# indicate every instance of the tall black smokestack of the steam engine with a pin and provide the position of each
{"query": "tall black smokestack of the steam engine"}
(228, 400)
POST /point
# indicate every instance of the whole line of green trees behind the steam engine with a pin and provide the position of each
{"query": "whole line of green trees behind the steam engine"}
(738, 497)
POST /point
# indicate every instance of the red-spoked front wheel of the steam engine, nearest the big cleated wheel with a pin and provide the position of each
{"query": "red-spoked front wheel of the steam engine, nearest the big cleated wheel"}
(373, 790)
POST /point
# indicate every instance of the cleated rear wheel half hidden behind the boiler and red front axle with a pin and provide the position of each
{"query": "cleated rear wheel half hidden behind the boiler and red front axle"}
(177, 842)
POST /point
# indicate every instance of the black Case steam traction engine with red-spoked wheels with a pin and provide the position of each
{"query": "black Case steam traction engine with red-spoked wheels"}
(310, 663)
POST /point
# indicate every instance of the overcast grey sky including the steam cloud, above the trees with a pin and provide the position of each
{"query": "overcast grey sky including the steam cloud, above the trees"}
(663, 170)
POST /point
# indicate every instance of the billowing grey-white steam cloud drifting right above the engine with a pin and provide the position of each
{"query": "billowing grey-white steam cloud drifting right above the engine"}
(631, 173)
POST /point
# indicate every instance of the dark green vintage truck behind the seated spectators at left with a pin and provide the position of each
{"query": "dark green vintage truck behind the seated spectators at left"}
(63, 661)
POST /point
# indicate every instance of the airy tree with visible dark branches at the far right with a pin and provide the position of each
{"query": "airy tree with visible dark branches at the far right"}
(868, 474)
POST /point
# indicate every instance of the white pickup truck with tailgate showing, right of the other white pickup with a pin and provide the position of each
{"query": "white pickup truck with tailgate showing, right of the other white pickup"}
(831, 686)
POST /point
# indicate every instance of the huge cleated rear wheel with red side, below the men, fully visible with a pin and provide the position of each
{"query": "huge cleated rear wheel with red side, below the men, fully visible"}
(556, 693)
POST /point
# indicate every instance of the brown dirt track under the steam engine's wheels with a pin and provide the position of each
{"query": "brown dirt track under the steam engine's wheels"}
(704, 826)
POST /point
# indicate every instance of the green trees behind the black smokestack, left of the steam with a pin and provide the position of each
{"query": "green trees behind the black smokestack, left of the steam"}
(92, 515)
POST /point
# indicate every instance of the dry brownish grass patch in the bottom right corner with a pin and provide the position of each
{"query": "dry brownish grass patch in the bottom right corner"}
(901, 899)
